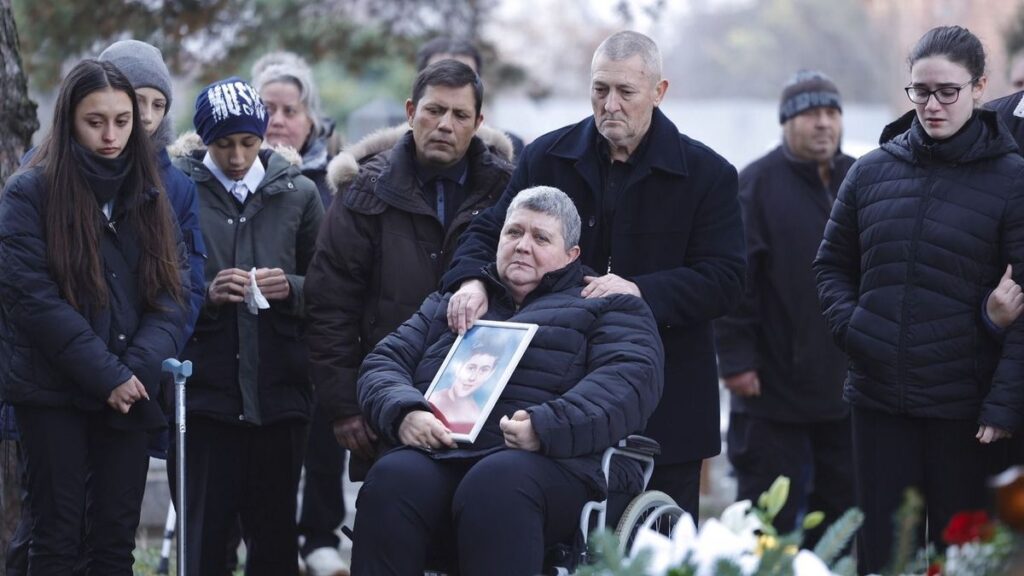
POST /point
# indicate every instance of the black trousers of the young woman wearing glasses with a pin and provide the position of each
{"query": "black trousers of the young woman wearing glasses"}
(942, 459)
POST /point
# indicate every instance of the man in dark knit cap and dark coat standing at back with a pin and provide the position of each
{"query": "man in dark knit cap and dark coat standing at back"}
(776, 353)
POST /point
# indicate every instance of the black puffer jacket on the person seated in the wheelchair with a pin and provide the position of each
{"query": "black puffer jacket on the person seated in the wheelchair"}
(592, 376)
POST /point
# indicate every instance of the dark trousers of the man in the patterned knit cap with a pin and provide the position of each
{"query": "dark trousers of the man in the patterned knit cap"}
(818, 458)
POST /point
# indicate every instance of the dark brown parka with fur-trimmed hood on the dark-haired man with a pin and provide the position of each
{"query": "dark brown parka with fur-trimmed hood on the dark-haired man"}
(381, 252)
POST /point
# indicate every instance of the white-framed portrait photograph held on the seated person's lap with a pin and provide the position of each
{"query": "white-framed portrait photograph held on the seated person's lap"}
(475, 374)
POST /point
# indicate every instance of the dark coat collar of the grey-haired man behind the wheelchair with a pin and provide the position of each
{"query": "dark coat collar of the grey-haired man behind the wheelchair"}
(664, 152)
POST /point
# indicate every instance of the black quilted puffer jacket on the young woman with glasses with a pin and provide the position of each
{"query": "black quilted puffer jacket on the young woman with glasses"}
(919, 235)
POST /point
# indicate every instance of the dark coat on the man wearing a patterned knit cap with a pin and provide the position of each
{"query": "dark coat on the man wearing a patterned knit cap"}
(779, 331)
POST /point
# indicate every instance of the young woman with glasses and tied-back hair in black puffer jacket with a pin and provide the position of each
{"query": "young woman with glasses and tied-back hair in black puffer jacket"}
(922, 230)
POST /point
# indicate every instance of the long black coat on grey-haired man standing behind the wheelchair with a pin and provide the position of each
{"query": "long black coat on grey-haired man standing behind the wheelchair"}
(677, 233)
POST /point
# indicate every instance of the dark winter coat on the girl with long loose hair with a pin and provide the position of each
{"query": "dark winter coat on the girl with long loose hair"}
(53, 355)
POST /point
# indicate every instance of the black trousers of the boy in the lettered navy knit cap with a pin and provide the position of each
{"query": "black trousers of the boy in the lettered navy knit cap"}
(236, 472)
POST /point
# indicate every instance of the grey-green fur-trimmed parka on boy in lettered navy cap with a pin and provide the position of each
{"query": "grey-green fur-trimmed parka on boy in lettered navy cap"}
(251, 369)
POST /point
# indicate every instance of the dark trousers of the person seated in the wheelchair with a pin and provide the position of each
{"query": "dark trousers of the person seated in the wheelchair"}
(494, 516)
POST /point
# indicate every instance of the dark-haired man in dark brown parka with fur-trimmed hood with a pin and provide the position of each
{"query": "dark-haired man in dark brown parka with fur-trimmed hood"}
(404, 198)
